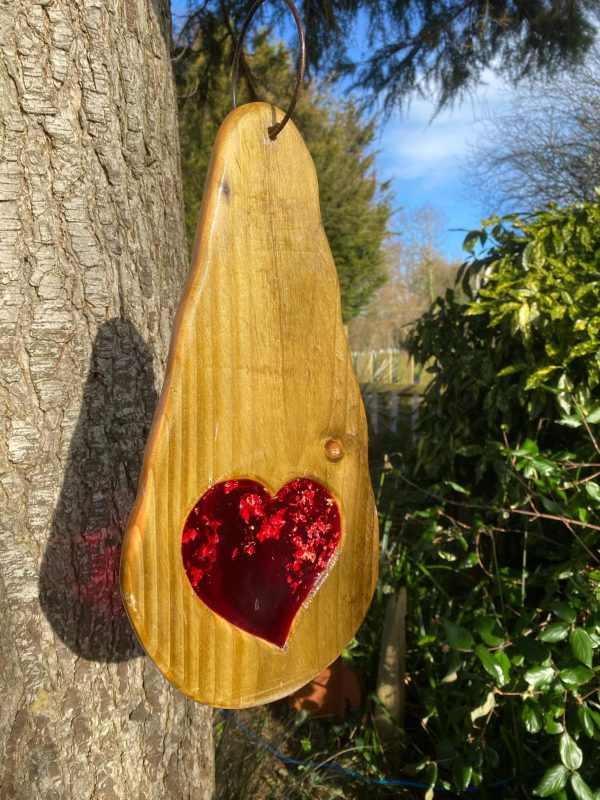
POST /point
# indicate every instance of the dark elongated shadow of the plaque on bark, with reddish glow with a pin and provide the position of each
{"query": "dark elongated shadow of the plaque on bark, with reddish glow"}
(79, 579)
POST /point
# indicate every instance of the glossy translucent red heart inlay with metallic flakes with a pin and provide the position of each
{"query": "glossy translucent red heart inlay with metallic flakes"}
(253, 558)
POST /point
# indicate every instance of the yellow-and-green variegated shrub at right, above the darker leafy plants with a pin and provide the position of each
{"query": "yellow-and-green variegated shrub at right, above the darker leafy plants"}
(521, 355)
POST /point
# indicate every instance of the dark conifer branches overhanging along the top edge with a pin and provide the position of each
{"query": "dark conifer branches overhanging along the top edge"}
(438, 46)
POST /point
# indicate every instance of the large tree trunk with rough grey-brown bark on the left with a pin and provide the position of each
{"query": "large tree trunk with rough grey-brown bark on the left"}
(92, 261)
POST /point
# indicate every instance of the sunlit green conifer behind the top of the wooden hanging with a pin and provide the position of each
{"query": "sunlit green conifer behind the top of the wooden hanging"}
(355, 205)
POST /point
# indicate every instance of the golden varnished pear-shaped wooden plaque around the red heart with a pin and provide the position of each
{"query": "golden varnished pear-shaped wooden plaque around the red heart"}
(259, 380)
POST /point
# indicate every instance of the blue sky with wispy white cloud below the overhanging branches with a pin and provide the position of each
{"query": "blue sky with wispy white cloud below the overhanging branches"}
(422, 154)
